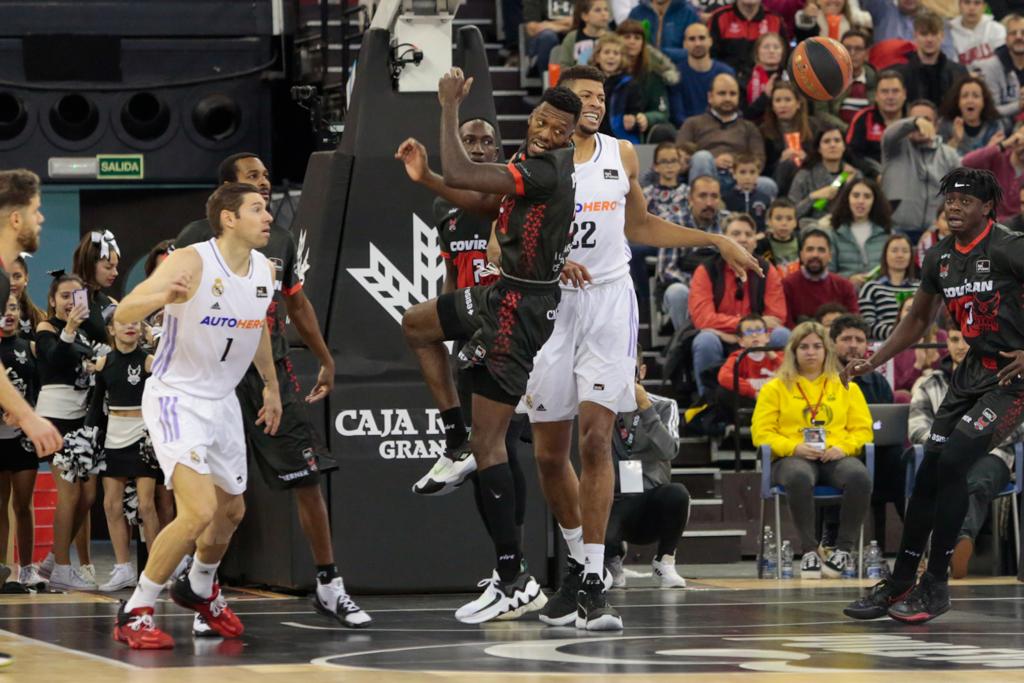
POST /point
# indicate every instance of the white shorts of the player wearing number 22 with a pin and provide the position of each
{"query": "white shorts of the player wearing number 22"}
(590, 357)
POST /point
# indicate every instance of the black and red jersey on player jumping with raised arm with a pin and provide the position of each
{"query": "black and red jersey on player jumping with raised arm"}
(535, 225)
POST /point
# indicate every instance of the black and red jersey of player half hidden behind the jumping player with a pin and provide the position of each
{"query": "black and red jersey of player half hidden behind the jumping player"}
(463, 239)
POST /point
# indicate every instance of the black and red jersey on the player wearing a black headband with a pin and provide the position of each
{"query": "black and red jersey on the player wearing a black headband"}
(982, 285)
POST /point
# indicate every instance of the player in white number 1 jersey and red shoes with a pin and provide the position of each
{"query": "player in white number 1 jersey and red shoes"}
(216, 296)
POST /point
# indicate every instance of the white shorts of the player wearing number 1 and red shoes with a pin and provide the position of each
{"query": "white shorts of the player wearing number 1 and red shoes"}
(202, 435)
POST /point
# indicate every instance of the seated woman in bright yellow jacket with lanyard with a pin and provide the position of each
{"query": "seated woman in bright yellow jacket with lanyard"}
(817, 429)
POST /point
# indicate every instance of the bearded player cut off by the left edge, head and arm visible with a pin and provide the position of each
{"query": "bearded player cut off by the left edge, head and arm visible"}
(21, 224)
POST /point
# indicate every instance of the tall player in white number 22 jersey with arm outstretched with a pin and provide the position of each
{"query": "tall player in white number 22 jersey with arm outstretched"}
(588, 365)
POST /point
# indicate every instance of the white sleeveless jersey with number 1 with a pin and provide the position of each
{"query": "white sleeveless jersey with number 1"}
(210, 340)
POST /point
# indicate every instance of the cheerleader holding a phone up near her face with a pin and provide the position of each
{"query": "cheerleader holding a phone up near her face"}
(63, 350)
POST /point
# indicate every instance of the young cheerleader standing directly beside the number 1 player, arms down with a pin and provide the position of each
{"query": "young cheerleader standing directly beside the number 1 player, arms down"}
(121, 377)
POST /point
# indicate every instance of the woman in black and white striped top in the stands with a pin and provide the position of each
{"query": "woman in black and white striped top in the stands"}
(899, 279)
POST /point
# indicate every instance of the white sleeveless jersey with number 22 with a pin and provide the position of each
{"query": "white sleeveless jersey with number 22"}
(600, 242)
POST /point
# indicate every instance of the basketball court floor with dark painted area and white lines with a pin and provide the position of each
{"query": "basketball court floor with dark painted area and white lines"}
(716, 630)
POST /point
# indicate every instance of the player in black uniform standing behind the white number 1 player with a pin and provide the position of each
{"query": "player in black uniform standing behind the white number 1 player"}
(288, 460)
